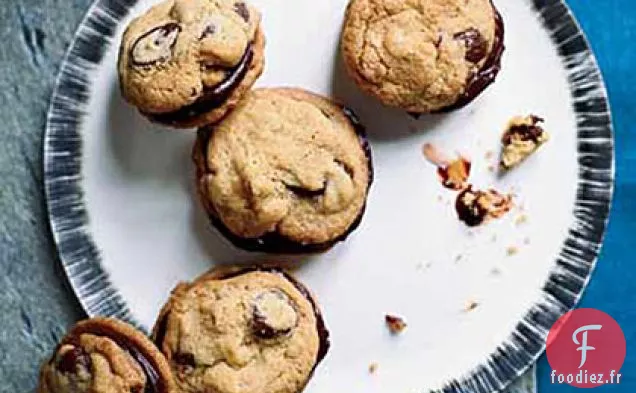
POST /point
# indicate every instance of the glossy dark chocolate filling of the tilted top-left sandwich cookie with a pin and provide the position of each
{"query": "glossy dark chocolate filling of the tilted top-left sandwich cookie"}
(212, 97)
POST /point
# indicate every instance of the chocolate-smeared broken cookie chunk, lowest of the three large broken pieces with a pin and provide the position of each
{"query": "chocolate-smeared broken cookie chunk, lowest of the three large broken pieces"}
(475, 207)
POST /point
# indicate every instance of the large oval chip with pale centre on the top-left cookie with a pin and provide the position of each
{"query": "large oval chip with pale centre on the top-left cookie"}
(156, 45)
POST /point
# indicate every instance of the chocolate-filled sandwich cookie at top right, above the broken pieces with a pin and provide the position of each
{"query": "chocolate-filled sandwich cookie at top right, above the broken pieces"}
(424, 55)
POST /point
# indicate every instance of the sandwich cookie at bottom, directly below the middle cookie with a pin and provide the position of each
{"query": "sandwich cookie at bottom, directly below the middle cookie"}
(242, 330)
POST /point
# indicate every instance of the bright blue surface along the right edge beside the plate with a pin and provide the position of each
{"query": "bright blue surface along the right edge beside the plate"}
(610, 26)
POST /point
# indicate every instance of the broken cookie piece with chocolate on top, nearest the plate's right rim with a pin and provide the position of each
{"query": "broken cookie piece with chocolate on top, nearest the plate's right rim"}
(522, 137)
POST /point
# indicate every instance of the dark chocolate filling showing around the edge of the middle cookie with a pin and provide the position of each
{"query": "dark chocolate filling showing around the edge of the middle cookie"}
(273, 242)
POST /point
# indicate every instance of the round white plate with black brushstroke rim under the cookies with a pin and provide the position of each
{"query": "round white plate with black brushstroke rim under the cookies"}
(128, 227)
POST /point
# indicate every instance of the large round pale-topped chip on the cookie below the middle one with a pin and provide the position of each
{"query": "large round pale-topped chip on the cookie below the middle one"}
(273, 315)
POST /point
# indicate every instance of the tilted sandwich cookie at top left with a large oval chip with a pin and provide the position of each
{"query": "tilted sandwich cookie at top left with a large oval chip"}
(186, 63)
